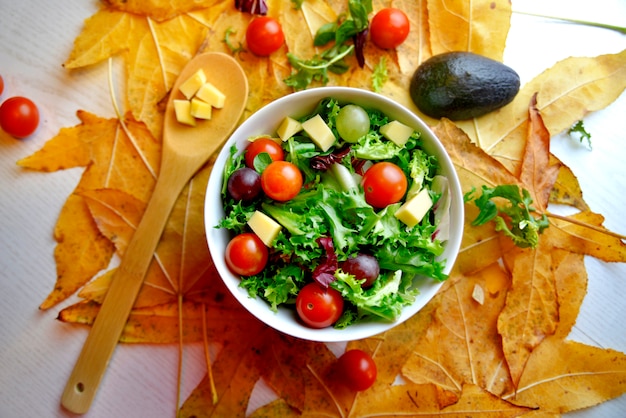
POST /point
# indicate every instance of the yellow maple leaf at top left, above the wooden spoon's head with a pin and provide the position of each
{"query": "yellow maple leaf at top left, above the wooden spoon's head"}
(154, 52)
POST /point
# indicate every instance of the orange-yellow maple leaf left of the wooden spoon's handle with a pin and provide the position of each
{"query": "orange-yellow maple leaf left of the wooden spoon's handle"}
(112, 160)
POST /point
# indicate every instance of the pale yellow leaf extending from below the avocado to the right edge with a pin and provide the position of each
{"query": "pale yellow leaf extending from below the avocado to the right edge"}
(567, 92)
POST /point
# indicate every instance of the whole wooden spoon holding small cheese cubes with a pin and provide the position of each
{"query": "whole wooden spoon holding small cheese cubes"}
(185, 150)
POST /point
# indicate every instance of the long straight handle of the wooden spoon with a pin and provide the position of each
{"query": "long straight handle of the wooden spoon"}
(92, 362)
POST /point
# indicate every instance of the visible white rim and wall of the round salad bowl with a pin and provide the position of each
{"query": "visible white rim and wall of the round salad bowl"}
(265, 122)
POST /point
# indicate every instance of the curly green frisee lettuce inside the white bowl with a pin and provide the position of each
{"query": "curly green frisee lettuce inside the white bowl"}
(327, 209)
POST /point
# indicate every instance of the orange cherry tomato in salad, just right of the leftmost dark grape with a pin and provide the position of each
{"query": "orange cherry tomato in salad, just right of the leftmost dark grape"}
(281, 180)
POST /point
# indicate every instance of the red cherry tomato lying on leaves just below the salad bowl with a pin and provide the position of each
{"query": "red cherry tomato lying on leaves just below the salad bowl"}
(356, 369)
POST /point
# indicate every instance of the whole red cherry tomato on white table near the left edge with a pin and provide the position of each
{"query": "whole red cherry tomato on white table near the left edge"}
(19, 117)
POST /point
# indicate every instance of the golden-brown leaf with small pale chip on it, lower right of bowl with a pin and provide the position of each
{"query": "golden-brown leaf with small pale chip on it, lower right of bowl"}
(463, 345)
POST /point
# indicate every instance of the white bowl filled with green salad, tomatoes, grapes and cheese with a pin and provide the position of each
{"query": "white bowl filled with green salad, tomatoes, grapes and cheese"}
(333, 214)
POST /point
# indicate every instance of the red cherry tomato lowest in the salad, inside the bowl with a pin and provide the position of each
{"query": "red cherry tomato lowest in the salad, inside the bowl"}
(319, 307)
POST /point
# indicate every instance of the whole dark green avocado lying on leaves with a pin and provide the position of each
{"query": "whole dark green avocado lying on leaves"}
(462, 85)
